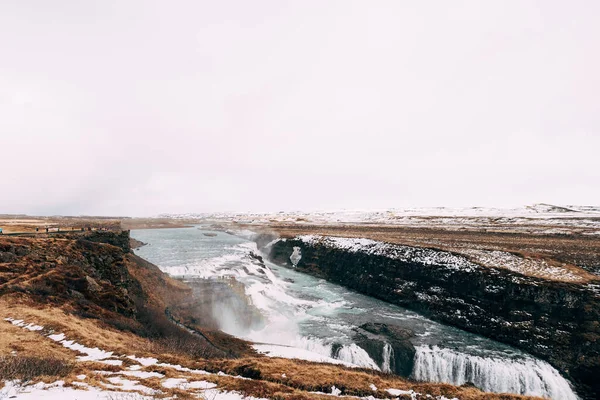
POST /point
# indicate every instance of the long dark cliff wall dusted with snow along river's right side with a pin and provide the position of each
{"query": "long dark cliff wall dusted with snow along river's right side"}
(556, 321)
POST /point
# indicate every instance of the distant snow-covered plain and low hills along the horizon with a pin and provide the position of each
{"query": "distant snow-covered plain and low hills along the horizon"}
(538, 218)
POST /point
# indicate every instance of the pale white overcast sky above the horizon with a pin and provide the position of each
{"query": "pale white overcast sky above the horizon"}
(138, 107)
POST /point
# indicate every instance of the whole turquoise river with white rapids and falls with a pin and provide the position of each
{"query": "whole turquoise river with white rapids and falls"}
(305, 317)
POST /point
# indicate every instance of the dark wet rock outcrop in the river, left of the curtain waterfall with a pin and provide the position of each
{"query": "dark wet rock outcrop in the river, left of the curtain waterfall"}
(372, 337)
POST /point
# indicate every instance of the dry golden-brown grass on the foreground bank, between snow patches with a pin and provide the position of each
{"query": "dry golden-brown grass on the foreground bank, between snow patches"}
(301, 377)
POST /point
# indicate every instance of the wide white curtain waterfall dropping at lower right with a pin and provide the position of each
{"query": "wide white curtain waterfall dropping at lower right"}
(525, 376)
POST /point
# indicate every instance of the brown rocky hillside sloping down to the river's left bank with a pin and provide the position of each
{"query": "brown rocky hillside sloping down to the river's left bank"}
(93, 275)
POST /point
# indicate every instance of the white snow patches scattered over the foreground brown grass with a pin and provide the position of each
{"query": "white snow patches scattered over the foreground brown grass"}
(122, 386)
